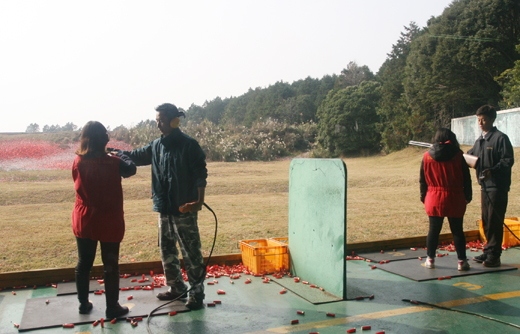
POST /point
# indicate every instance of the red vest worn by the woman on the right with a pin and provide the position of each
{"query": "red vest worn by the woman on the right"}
(445, 195)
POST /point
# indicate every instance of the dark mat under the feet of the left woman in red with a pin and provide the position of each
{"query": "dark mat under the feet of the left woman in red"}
(61, 310)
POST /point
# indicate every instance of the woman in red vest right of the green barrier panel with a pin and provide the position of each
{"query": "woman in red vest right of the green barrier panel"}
(445, 190)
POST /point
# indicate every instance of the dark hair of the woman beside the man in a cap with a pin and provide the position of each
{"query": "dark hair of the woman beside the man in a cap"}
(94, 139)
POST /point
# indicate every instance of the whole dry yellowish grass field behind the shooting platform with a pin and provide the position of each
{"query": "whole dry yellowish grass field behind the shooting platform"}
(250, 199)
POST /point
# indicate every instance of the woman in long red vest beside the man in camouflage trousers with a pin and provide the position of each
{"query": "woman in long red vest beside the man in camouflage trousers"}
(98, 214)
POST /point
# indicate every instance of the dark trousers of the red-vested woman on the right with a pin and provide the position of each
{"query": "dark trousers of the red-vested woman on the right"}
(459, 239)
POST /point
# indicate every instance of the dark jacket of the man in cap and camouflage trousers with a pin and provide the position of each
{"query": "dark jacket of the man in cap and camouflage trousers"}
(178, 170)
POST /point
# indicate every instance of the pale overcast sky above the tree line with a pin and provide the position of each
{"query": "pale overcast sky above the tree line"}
(115, 61)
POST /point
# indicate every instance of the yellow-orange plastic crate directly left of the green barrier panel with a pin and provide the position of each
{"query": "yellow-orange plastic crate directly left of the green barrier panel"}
(263, 256)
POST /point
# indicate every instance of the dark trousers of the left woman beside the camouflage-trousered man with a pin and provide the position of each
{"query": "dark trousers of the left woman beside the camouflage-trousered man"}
(110, 257)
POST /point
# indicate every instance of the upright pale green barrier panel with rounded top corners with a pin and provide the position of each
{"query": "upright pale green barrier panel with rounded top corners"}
(318, 222)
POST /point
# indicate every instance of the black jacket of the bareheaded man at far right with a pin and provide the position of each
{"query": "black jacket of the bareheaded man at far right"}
(494, 152)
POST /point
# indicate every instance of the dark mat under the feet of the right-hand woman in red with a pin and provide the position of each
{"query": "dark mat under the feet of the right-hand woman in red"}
(445, 267)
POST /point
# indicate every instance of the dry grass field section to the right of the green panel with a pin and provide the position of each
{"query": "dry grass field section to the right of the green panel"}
(383, 197)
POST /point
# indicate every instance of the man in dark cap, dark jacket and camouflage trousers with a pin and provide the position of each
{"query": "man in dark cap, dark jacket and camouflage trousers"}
(178, 179)
